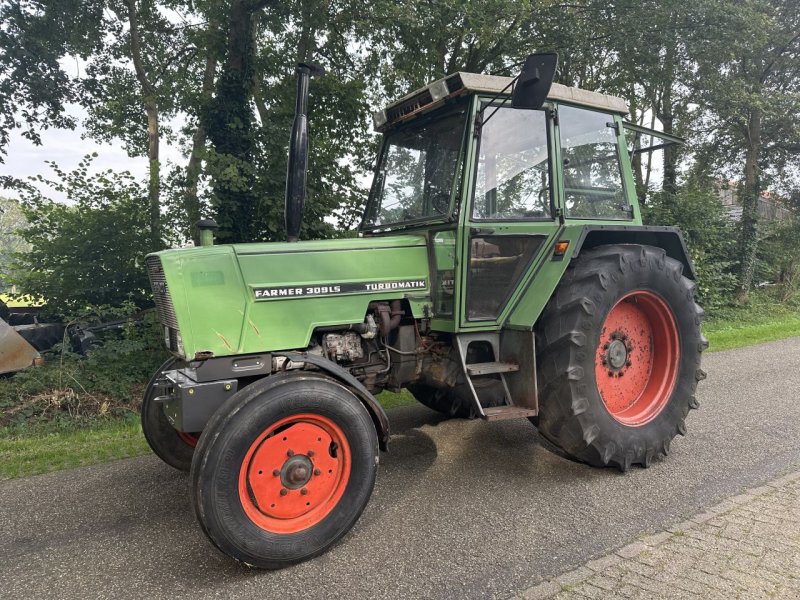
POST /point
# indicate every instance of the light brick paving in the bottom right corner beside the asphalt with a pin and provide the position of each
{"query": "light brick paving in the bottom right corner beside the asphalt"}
(745, 547)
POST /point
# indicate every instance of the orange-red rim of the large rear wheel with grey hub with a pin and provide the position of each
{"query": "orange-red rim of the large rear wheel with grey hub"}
(637, 358)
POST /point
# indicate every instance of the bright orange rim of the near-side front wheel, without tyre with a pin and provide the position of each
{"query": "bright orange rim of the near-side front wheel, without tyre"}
(294, 473)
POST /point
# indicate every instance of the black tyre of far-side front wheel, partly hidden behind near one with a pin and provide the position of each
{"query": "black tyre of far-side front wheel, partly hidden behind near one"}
(172, 446)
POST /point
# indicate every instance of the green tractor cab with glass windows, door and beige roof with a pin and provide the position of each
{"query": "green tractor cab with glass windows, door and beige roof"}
(497, 185)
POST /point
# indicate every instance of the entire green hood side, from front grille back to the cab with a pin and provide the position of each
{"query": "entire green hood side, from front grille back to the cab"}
(253, 298)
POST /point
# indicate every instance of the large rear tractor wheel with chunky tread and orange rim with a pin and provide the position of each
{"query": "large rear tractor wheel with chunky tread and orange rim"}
(619, 357)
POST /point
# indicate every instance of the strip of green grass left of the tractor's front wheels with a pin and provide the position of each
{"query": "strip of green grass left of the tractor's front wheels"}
(32, 453)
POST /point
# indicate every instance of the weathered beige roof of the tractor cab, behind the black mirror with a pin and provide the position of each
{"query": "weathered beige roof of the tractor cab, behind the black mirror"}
(437, 92)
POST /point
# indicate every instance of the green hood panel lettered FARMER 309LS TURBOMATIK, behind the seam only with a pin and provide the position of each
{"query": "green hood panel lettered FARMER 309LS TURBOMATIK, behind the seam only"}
(294, 288)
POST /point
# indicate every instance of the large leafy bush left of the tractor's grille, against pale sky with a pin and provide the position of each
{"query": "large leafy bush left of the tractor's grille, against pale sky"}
(90, 250)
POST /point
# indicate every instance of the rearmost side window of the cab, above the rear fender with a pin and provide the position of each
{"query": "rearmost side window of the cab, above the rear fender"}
(592, 177)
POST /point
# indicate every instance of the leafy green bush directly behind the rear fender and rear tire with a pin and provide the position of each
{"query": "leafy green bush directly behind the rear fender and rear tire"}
(710, 236)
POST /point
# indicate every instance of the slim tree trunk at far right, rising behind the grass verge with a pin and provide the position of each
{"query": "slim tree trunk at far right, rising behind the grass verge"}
(748, 234)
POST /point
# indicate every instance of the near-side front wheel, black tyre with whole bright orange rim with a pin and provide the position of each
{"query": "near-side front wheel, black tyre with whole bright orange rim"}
(284, 469)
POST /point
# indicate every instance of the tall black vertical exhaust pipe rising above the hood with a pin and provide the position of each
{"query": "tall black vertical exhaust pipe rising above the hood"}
(298, 153)
